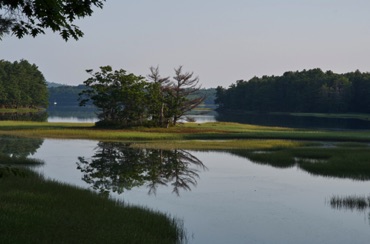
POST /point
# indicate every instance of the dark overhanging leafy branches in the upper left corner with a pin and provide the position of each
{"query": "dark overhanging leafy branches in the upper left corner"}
(33, 17)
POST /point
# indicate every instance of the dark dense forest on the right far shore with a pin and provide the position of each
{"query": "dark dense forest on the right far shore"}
(304, 91)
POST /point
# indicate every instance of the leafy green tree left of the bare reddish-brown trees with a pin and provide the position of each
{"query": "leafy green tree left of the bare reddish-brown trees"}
(120, 97)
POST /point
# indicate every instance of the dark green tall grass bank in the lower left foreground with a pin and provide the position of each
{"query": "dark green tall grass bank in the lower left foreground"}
(33, 210)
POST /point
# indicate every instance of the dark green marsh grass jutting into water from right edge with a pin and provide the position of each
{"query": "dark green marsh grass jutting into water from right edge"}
(352, 163)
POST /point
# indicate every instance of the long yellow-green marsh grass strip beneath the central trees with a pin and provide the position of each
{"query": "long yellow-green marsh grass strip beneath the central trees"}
(188, 131)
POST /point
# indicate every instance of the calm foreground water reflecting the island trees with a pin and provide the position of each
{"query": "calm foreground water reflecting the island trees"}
(222, 198)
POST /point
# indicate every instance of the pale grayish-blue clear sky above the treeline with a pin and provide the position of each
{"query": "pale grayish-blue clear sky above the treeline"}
(221, 41)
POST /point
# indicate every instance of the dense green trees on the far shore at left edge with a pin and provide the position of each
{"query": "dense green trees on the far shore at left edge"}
(22, 85)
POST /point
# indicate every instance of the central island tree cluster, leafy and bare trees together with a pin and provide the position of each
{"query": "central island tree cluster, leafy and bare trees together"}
(124, 99)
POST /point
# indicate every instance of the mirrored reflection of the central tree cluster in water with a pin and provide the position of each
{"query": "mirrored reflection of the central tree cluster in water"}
(116, 167)
